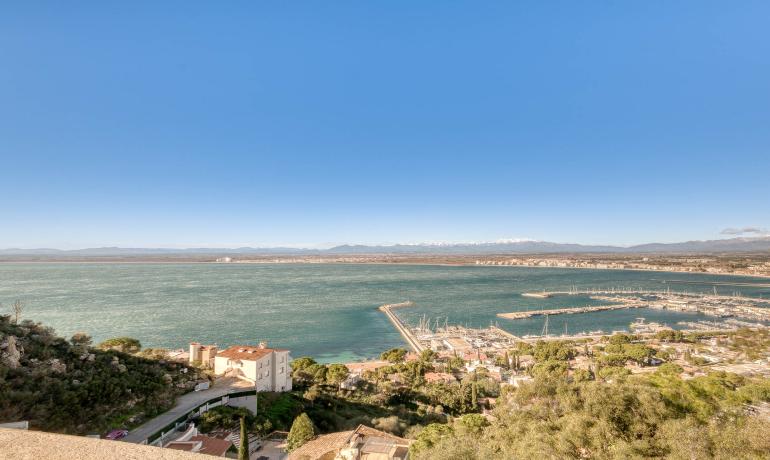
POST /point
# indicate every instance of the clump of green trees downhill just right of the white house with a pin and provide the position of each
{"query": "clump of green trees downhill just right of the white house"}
(393, 398)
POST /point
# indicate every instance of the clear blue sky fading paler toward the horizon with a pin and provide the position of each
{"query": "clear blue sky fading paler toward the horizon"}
(187, 123)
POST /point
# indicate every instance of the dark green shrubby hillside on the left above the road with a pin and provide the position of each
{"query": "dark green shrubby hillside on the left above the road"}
(67, 386)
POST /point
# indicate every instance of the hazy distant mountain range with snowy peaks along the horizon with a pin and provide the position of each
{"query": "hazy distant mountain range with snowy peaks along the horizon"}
(754, 244)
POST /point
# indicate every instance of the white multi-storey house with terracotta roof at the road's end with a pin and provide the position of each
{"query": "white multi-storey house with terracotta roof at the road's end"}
(268, 368)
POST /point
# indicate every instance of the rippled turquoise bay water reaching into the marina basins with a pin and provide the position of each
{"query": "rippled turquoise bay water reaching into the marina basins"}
(327, 311)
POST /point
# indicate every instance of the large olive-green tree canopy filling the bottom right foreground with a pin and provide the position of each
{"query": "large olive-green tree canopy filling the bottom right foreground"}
(658, 415)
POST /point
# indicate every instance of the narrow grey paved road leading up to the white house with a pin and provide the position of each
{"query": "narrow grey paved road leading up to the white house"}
(185, 404)
